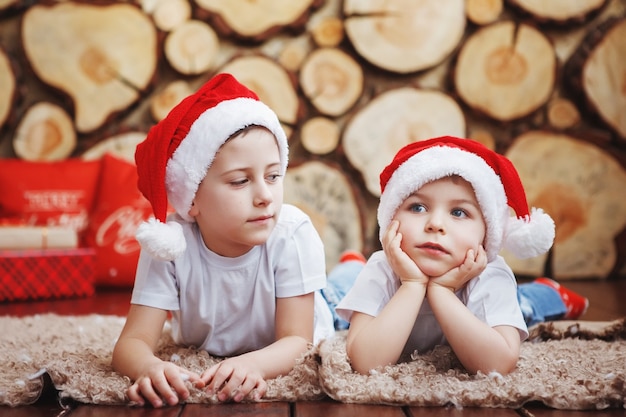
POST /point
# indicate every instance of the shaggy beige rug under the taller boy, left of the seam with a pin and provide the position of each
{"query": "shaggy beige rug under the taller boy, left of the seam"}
(75, 352)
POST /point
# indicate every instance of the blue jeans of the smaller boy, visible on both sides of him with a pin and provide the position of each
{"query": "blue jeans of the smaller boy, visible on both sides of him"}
(538, 302)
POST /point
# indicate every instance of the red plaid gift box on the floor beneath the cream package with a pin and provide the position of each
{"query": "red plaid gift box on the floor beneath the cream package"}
(46, 273)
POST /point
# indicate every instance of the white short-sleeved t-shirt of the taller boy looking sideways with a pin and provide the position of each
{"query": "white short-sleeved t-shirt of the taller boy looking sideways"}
(227, 306)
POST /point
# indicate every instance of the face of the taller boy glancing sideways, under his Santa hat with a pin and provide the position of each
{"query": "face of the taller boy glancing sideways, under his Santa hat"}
(238, 202)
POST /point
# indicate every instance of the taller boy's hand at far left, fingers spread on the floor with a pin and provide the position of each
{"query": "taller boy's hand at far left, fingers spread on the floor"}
(164, 381)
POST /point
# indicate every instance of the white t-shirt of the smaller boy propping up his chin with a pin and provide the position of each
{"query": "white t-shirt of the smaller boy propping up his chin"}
(492, 297)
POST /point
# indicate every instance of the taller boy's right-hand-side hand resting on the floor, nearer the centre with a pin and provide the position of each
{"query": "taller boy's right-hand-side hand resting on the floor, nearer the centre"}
(234, 379)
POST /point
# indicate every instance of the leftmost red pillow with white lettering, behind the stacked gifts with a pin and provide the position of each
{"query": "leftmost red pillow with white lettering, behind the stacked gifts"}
(48, 193)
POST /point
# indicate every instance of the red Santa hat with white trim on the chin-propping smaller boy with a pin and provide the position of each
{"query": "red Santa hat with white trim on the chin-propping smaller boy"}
(496, 184)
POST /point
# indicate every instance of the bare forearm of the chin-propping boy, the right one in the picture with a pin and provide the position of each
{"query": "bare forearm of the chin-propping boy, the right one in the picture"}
(478, 346)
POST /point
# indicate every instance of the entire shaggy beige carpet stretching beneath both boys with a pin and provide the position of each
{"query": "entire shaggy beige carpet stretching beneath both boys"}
(565, 365)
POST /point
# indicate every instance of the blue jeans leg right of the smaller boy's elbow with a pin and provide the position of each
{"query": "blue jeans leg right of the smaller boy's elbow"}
(539, 303)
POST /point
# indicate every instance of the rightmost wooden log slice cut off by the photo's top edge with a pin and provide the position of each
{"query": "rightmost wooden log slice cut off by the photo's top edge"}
(559, 11)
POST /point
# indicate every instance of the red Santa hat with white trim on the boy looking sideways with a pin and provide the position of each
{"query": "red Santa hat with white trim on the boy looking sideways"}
(178, 151)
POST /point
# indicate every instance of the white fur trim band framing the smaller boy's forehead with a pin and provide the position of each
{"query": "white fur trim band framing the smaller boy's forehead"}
(442, 161)
